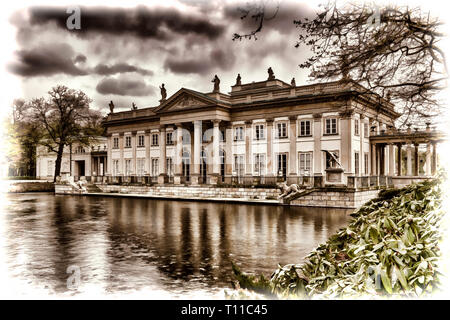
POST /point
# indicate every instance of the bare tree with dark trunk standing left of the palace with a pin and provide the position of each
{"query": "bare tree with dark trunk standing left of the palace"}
(65, 118)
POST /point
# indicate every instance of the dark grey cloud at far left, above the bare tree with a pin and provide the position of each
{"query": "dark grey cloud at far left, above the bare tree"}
(46, 60)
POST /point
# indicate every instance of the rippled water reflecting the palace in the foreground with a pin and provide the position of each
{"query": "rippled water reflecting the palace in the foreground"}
(168, 248)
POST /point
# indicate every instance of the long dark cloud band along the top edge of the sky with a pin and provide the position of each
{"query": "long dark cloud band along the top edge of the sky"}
(141, 21)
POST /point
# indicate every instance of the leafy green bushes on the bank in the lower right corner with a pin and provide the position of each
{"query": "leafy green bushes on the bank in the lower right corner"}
(390, 247)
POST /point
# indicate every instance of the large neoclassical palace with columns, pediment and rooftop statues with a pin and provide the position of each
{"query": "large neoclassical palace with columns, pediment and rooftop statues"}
(265, 129)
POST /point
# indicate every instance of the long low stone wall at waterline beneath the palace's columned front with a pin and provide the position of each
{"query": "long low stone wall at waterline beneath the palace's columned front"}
(182, 191)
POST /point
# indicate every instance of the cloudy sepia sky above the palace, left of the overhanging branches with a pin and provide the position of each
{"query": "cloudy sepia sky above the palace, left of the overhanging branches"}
(125, 53)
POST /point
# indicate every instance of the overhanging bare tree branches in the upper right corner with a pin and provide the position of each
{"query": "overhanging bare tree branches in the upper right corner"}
(392, 51)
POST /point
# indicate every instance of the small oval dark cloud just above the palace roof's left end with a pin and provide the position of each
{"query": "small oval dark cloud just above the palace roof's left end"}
(124, 87)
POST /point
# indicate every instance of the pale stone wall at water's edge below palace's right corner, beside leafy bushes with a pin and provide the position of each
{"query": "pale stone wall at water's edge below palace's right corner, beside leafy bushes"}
(335, 198)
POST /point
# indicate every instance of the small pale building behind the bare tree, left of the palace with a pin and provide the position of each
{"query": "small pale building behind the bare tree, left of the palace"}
(86, 161)
